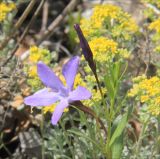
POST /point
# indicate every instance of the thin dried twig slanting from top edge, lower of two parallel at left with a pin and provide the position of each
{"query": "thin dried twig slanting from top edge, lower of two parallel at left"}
(24, 33)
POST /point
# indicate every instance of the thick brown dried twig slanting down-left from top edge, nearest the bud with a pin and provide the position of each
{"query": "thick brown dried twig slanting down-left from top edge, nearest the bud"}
(46, 34)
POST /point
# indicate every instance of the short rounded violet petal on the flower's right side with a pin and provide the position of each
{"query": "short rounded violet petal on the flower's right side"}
(80, 93)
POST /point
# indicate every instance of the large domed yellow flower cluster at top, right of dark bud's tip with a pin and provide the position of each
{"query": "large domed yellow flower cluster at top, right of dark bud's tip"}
(107, 18)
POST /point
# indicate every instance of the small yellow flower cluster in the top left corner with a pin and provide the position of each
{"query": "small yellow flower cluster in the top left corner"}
(5, 9)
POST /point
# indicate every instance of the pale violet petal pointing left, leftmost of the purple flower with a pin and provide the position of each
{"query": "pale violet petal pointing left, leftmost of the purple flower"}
(41, 98)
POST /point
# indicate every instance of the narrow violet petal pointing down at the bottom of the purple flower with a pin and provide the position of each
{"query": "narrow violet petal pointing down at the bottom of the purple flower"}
(59, 111)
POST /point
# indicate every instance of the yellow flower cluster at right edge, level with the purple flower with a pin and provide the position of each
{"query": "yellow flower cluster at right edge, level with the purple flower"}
(147, 91)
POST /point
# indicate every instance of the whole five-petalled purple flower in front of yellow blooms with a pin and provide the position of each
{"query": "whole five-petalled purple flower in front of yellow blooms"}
(56, 91)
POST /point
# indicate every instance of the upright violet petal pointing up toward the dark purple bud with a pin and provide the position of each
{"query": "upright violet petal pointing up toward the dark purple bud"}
(69, 71)
